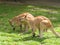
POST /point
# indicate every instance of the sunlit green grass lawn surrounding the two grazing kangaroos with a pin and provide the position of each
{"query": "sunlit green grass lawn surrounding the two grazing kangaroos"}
(10, 37)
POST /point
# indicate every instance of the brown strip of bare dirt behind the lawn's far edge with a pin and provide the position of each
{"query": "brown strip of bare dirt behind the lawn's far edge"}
(35, 2)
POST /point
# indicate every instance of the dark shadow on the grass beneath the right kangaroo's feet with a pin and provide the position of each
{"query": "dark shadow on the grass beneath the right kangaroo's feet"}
(36, 38)
